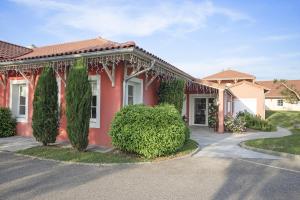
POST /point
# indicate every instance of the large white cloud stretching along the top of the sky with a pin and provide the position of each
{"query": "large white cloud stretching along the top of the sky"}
(113, 18)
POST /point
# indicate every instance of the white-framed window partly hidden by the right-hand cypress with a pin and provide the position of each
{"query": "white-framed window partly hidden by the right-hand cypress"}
(95, 103)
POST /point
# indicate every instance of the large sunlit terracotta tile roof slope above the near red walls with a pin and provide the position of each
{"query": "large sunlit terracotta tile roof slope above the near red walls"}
(84, 46)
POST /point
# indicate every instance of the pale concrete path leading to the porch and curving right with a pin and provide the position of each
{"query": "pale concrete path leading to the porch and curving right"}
(226, 145)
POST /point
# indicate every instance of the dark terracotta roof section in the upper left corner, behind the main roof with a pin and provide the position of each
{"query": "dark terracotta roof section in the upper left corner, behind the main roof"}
(10, 51)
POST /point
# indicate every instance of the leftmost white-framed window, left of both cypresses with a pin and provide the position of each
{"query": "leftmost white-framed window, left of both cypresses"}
(19, 99)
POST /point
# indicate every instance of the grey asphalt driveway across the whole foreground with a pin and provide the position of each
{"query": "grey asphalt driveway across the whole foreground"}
(190, 178)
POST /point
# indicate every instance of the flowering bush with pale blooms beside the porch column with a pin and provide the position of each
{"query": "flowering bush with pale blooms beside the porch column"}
(234, 124)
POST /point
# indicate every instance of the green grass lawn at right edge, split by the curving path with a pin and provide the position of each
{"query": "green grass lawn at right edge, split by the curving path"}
(288, 144)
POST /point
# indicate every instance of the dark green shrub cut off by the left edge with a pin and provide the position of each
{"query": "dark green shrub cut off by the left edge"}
(7, 123)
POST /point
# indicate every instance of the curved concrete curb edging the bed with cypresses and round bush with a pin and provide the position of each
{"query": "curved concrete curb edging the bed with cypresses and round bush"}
(110, 164)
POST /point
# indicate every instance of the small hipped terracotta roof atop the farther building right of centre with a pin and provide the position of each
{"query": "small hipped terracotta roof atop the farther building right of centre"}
(229, 75)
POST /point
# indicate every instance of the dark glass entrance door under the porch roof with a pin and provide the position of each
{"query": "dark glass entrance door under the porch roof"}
(200, 111)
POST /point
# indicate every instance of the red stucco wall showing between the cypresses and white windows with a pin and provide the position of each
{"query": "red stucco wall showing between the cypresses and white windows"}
(111, 99)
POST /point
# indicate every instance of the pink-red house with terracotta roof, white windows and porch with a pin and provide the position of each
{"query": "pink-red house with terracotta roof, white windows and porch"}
(120, 74)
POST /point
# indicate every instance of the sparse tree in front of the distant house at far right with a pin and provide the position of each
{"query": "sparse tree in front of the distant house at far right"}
(288, 91)
